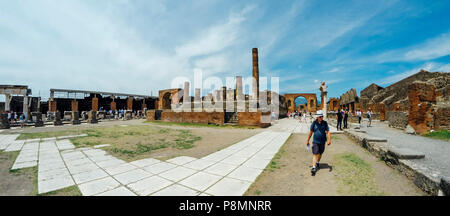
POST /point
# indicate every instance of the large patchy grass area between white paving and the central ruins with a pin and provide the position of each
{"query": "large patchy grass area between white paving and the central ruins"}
(128, 143)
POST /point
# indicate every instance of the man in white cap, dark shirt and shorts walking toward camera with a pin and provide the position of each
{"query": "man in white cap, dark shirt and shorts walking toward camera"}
(321, 136)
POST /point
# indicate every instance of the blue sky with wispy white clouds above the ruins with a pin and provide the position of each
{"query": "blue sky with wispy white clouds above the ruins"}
(141, 46)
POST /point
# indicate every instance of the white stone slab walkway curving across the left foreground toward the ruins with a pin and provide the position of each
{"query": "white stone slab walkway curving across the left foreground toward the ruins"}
(230, 171)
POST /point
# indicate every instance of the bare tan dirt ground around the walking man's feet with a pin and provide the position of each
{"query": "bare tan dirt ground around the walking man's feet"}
(293, 177)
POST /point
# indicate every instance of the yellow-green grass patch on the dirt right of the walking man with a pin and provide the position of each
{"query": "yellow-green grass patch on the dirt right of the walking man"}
(355, 176)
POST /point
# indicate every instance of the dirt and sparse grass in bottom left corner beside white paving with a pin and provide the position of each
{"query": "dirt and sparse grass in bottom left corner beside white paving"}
(19, 183)
